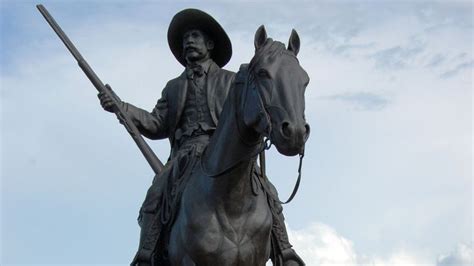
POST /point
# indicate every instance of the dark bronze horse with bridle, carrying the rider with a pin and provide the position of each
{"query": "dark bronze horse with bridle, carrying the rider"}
(224, 217)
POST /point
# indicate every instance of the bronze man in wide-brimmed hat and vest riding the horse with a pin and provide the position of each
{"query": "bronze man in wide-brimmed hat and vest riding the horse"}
(187, 115)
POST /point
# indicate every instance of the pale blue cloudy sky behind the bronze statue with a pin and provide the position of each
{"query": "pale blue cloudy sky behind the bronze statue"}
(387, 174)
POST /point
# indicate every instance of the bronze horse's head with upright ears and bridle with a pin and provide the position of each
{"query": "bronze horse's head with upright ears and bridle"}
(274, 102)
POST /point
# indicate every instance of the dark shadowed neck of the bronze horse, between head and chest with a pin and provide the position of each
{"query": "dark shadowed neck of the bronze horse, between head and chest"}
(229, 156)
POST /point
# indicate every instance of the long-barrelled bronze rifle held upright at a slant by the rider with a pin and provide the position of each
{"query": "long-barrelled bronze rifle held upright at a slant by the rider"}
(150, 156)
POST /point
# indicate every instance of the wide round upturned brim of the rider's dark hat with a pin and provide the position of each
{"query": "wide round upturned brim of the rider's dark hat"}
(196, 19)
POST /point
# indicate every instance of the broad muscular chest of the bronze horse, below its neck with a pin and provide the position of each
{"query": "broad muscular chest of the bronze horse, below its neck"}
(210, 233)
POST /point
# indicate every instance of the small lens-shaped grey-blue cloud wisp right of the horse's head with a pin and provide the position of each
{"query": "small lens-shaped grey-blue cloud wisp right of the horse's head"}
(365, 101)
